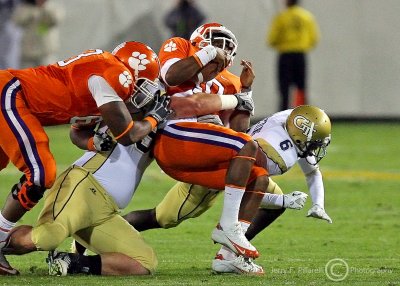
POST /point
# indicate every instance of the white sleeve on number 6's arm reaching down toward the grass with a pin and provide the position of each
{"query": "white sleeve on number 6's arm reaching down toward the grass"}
(314, 182)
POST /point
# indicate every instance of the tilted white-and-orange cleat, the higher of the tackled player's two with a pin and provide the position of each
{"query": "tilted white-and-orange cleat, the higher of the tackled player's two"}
(234, 239)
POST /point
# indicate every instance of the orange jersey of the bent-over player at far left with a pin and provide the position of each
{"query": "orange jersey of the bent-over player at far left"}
(59, 93)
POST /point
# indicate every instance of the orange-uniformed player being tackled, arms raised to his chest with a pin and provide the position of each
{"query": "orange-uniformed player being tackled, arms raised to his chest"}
(229, 161)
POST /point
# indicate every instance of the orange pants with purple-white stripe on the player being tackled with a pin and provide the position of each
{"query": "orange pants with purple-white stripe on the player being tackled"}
(200, 153)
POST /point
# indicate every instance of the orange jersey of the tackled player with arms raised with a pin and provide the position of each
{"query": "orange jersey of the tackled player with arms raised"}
(178, 48)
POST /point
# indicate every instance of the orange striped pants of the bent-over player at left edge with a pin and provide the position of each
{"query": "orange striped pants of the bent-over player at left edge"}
(23, 139)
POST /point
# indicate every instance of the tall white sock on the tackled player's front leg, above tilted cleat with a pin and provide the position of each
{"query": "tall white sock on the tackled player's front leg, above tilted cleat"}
(230, 210)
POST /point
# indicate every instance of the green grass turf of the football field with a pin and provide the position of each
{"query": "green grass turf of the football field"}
(361, 247)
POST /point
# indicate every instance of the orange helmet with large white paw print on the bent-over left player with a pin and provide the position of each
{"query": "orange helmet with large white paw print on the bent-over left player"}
(144, 65)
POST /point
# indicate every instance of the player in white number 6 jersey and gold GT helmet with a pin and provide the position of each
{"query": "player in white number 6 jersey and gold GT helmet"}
(299, 135)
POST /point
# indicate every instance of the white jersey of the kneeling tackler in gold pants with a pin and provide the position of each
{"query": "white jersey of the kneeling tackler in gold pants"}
(120, 170)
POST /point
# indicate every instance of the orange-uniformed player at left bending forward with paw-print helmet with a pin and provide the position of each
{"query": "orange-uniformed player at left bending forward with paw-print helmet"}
(80, 90)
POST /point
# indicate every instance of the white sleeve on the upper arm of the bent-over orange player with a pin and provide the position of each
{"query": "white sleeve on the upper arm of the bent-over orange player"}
(101, 90)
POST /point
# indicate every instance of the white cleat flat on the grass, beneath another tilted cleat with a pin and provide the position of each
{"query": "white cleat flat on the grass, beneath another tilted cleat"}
(238, 265)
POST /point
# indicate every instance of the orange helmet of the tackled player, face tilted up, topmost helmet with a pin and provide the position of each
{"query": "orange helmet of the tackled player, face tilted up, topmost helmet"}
(217, 35)
